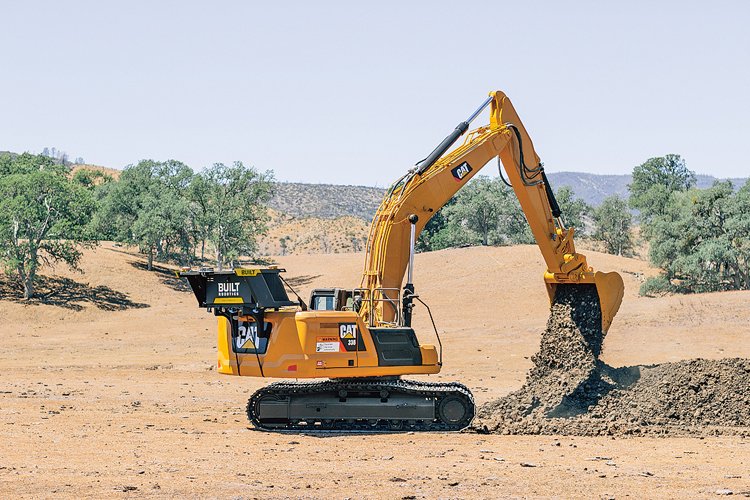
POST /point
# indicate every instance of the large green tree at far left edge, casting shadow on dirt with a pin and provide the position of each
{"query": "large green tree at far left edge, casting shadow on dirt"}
(43, 214)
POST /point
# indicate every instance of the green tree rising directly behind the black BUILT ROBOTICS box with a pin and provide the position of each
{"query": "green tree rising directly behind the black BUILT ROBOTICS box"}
(236, 198)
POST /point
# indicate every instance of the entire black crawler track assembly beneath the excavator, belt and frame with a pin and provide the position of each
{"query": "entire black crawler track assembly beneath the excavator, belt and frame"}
(361, 405)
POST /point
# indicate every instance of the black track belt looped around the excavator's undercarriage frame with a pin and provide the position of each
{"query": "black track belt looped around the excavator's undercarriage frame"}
(439, 391)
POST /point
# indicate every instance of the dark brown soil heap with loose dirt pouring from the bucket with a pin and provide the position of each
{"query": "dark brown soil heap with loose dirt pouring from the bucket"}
(570, 391)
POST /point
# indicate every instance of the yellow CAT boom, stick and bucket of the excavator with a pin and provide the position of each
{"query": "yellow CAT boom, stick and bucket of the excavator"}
(416, 197)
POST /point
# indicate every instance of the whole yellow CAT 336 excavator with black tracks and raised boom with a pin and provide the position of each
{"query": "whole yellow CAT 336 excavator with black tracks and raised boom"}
(361, 340)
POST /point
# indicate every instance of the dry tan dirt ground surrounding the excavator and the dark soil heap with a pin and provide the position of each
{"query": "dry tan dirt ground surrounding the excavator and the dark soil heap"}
(110, 391)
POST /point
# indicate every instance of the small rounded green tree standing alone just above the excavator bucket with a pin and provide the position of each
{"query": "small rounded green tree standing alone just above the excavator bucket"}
(612, 225)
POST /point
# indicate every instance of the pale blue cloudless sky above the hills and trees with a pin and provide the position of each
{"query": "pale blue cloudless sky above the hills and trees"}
(356, 93)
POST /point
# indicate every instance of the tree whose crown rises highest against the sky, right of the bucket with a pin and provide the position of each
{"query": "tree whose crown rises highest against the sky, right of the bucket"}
(653, 184)
